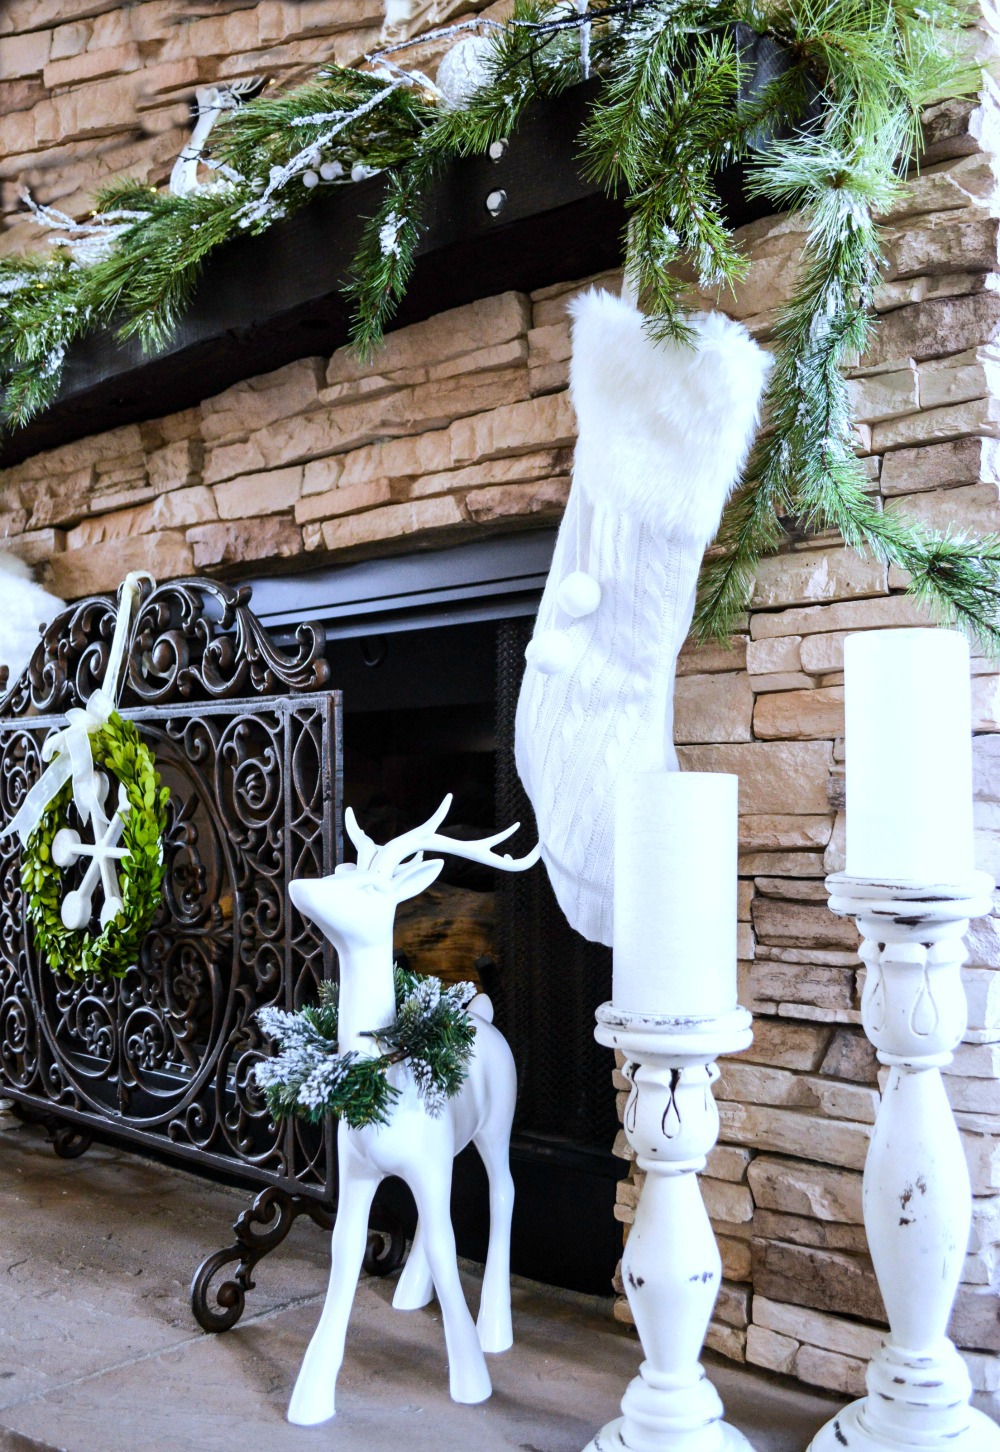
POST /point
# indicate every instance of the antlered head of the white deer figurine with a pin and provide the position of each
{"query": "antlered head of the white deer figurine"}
(356, 905)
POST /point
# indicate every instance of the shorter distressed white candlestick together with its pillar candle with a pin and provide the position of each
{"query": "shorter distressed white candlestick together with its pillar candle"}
(674, 1011)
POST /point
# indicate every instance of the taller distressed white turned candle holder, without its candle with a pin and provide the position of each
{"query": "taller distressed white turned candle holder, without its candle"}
(917, 1190)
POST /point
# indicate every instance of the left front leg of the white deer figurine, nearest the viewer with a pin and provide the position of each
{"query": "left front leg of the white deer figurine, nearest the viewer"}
(316, 1387)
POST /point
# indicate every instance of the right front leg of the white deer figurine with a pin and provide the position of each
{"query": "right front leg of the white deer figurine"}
(468, 1376)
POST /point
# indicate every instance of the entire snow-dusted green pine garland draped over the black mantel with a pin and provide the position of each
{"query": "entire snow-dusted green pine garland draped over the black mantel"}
(679, 102)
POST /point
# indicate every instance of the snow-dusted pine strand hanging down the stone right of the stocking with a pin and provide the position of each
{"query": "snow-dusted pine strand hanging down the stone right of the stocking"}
(808, 465)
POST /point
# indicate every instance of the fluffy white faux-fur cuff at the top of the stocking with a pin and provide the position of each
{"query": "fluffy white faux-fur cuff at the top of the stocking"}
(694, 409)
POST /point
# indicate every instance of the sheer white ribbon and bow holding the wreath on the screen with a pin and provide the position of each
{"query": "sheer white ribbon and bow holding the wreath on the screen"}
(69, 750)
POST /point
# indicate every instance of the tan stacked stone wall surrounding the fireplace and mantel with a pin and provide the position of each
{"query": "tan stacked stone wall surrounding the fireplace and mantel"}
(462, 426)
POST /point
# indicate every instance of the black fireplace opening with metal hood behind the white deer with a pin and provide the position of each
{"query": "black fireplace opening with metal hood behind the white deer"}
(429, 708)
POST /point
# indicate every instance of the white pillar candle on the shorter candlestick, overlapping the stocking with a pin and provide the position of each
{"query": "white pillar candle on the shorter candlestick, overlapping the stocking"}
(676, 894)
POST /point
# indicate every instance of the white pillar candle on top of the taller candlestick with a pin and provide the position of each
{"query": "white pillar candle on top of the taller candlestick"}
(909, 741)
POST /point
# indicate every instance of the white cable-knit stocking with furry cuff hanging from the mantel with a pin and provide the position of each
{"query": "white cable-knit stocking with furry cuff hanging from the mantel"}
(664, 432)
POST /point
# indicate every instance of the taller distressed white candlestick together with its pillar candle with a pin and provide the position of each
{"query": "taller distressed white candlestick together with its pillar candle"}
(909, 798)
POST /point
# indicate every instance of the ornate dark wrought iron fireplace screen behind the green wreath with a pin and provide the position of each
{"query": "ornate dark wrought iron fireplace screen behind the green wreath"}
(250, 746)
